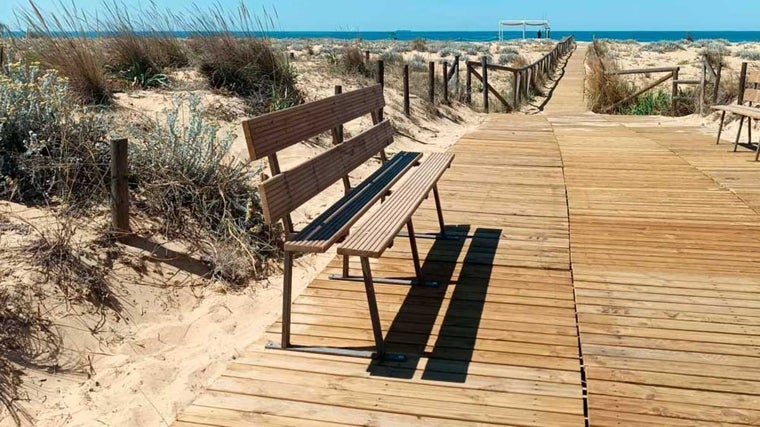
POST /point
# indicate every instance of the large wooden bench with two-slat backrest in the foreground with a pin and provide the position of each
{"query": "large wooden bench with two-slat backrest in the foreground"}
(285, 191)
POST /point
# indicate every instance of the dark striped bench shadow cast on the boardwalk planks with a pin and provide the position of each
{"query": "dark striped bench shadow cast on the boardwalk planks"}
(412, 328)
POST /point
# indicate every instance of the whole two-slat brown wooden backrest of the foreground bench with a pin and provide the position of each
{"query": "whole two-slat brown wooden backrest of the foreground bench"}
(270, 133)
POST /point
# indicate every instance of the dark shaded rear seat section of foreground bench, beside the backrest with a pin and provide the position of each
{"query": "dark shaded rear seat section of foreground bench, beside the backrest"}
(335, 222)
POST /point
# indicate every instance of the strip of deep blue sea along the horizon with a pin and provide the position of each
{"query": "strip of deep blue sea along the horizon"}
(491, 36)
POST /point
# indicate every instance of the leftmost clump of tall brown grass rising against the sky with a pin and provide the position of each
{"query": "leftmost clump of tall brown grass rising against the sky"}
(62, 45)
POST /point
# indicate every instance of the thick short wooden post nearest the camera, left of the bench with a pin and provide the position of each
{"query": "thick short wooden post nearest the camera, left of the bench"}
(119, 186)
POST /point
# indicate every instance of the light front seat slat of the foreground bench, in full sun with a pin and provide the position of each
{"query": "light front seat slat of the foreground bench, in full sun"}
(375, 235)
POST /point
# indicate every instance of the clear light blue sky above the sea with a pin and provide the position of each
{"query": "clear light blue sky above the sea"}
(430, 15)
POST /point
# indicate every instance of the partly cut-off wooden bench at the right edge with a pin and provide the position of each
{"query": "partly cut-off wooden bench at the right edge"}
(749, 95)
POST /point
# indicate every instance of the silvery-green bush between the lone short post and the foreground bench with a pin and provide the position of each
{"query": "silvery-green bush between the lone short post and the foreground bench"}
(185, 176)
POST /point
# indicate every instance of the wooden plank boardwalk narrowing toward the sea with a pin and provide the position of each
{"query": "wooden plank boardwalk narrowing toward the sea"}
(608, 274)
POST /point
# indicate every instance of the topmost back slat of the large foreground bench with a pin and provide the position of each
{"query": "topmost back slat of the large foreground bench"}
(272, 132)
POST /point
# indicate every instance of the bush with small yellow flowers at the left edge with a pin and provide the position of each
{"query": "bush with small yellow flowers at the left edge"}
(50, 148)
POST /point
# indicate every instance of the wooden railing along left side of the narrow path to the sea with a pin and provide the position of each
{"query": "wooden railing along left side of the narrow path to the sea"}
(524, 80)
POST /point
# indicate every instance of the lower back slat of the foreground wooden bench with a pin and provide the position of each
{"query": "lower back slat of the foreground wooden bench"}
(285, 192)
